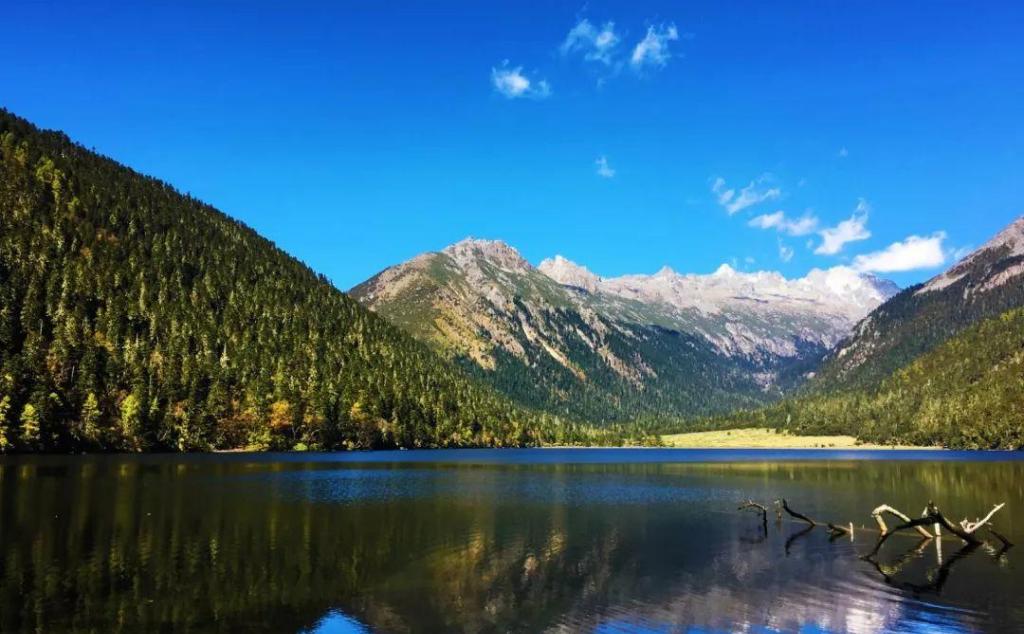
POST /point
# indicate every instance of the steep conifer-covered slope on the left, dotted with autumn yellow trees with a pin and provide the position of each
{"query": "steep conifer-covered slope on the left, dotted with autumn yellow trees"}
(134, 318)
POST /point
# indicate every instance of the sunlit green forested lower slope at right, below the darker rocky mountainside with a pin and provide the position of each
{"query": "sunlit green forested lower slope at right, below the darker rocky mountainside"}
(966, 394)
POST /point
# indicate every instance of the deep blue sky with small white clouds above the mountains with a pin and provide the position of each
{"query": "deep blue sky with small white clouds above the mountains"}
(357, 136)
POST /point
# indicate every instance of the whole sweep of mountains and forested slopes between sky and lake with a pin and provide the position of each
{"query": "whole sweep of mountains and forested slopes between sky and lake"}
(134, 318)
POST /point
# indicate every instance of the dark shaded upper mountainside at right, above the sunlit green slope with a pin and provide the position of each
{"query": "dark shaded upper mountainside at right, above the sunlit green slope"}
(984, 285)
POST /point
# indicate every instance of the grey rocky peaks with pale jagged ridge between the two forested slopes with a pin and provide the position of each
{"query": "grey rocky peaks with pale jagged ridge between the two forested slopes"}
(562, 339)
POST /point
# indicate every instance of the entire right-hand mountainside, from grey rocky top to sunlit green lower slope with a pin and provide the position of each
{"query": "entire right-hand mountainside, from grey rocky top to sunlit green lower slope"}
(940, 364)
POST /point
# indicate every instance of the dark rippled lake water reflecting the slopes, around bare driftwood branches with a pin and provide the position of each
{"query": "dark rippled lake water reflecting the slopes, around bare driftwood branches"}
(496, 541)
